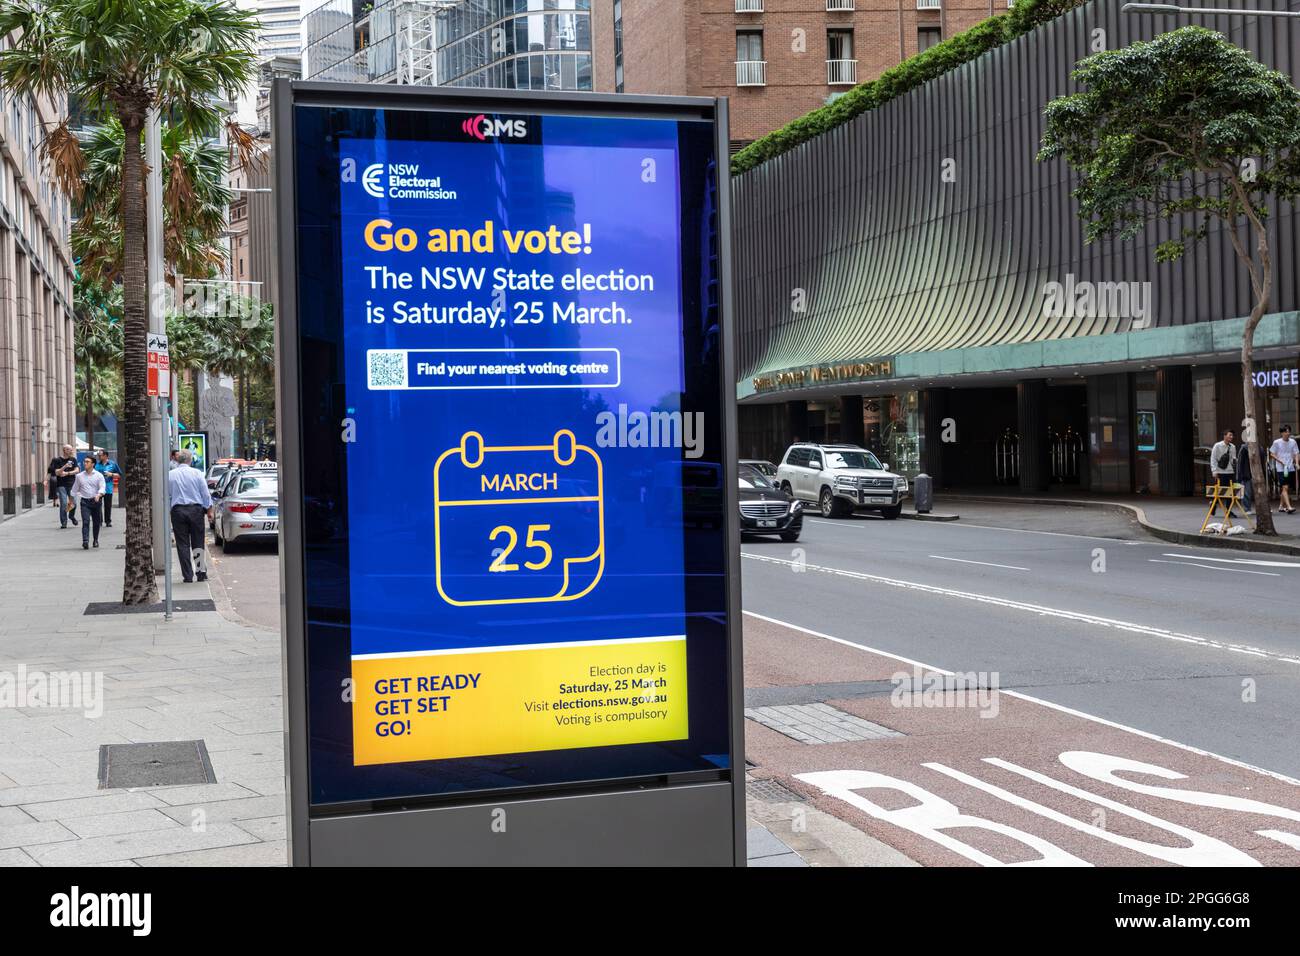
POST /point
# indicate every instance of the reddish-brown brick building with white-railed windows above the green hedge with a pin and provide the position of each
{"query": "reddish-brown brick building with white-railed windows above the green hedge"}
(775, 59)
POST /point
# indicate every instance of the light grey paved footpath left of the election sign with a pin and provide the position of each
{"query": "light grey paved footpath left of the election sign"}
(197, 678)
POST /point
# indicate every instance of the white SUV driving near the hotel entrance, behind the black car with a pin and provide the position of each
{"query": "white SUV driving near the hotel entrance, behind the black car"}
(842, 479)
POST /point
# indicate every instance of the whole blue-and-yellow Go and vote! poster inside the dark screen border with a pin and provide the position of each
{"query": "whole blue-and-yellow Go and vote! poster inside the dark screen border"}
(512, 587)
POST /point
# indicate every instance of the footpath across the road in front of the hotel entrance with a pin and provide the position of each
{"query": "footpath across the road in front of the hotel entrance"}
(1172, 520)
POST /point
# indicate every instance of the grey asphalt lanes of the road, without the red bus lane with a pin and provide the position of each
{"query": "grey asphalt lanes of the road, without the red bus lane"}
(1136, 631)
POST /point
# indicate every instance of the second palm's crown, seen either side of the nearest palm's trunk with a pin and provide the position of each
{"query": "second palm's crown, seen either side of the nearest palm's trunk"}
(194, 202)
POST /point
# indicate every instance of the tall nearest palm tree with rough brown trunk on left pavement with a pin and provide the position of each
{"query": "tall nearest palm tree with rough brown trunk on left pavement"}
(127, 59)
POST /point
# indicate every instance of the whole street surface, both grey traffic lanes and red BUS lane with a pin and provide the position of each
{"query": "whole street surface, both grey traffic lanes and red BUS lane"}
(1089, 646)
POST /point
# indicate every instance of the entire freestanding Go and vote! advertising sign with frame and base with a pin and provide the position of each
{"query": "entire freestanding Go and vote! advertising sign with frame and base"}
(509, 482)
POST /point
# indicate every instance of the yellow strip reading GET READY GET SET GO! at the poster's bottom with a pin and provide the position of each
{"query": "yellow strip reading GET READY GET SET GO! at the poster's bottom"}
(519, 700)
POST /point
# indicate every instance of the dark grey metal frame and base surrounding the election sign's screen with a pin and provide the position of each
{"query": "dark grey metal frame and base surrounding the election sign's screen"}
(662, 823)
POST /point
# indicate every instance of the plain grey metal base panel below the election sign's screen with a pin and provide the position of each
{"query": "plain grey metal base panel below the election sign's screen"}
(664, 827)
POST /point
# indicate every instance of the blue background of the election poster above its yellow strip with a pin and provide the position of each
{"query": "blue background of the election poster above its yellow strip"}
(566, 183)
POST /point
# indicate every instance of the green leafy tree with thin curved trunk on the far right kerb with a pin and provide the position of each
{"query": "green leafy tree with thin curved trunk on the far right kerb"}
(1191, 131)
